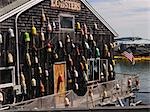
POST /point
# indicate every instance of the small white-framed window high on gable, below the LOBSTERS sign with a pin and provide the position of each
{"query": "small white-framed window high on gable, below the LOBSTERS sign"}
(66, 22)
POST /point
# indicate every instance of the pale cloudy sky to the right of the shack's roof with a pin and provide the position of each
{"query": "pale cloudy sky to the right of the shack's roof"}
(126, 17)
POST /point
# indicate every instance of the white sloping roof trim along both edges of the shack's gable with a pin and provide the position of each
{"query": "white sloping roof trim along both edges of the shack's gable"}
(32, 3)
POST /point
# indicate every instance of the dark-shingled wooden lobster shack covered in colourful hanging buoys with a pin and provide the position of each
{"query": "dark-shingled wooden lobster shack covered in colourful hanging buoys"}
(46, 42)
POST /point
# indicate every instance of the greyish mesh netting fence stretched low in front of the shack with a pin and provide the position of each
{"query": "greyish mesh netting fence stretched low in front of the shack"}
(99, 98)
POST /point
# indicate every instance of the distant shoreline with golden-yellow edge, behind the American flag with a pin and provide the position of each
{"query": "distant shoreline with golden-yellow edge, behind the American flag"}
(139, 47)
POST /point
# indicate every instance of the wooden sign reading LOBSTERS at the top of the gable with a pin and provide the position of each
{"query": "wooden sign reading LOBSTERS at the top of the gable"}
(66, 4)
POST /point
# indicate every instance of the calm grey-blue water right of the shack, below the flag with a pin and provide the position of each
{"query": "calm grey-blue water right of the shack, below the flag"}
(143, 70)
